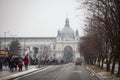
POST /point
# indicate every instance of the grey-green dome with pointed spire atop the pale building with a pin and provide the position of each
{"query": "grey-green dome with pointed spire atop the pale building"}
(67, 30)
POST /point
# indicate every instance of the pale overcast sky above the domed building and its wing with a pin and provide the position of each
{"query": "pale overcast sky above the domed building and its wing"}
(39, 18)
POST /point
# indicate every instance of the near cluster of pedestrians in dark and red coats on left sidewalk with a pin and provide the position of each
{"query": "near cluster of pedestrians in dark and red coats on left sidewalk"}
(15, 63)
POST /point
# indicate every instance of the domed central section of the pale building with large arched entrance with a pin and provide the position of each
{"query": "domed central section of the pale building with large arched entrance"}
(67, 42)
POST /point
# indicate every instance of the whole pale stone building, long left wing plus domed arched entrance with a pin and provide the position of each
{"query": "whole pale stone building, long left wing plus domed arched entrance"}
(64, 46)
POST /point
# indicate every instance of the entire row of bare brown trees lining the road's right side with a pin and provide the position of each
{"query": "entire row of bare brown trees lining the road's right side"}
(102, 39)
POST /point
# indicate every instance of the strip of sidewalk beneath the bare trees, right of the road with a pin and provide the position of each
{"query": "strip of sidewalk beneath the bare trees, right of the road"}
(101, 74)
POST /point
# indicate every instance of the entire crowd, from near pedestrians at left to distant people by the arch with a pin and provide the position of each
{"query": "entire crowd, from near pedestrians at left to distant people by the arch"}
(15, 63)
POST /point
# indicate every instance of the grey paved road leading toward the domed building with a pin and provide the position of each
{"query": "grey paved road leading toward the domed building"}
(60, 72)
